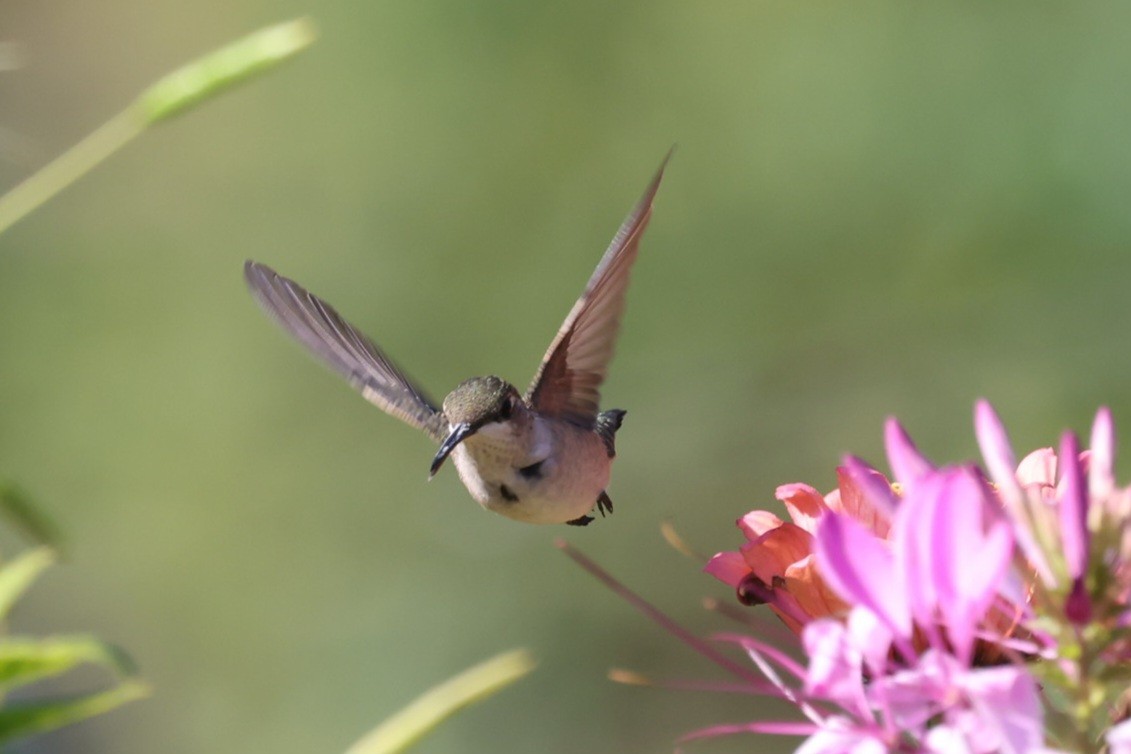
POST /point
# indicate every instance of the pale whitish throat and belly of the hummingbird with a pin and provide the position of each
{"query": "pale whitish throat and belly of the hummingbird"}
(573, 471)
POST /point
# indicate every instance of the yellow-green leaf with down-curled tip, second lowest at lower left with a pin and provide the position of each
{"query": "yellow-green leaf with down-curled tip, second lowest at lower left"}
(28, 661)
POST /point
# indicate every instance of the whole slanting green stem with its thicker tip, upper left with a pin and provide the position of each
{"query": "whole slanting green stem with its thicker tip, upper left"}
(172, 94)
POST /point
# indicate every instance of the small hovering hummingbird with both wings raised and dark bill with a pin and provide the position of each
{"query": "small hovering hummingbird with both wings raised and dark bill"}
(543, 457)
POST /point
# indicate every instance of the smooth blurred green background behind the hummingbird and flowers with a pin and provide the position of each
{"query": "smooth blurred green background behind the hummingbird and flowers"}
(875, 209)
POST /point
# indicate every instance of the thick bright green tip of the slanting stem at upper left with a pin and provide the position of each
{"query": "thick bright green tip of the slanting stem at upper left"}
(208, 76)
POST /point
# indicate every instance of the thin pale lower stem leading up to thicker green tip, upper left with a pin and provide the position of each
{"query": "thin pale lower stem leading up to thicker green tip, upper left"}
(70, 167)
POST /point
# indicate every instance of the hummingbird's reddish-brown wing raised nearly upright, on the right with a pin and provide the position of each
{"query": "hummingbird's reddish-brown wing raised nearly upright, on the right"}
(568, 383)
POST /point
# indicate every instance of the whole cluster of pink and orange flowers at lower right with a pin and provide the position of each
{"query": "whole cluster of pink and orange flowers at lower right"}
(952, 611)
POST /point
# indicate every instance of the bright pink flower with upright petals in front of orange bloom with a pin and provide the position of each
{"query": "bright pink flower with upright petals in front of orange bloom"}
(935, 579)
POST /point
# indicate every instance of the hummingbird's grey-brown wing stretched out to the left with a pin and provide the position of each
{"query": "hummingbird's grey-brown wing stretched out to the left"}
(325, 334)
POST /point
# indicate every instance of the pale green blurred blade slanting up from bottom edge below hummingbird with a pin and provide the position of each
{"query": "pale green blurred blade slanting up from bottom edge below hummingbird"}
(411, 724)
